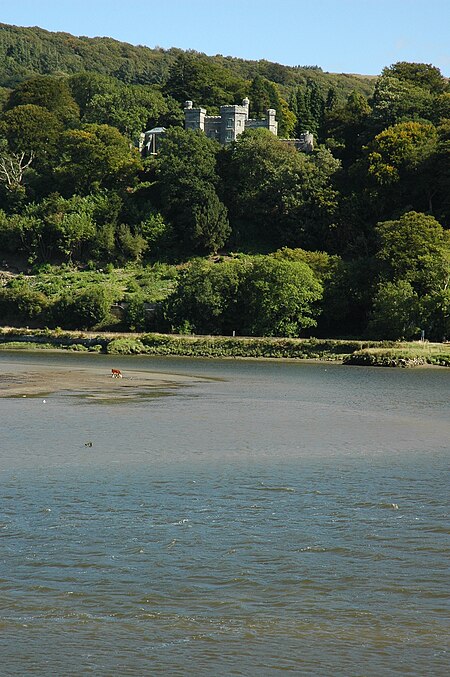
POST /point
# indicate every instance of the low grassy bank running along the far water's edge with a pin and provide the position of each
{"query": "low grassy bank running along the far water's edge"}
(367, 353)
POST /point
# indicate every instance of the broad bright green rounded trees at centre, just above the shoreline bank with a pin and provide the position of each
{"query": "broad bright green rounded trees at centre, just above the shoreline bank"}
(259, 296)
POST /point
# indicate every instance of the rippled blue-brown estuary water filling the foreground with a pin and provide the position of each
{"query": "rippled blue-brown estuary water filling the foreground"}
(256, 518)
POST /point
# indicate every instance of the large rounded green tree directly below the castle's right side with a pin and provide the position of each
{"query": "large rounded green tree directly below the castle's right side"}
(276, 195)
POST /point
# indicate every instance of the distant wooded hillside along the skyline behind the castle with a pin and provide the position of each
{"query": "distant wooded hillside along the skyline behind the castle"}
(31, 51)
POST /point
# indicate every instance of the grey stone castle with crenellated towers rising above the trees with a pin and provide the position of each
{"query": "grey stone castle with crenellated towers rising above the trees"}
(231, 122)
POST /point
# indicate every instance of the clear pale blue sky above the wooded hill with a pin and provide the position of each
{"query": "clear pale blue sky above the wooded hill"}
(350, 36)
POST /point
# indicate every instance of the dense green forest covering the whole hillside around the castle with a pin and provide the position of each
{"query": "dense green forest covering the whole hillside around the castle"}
(253, 237)
